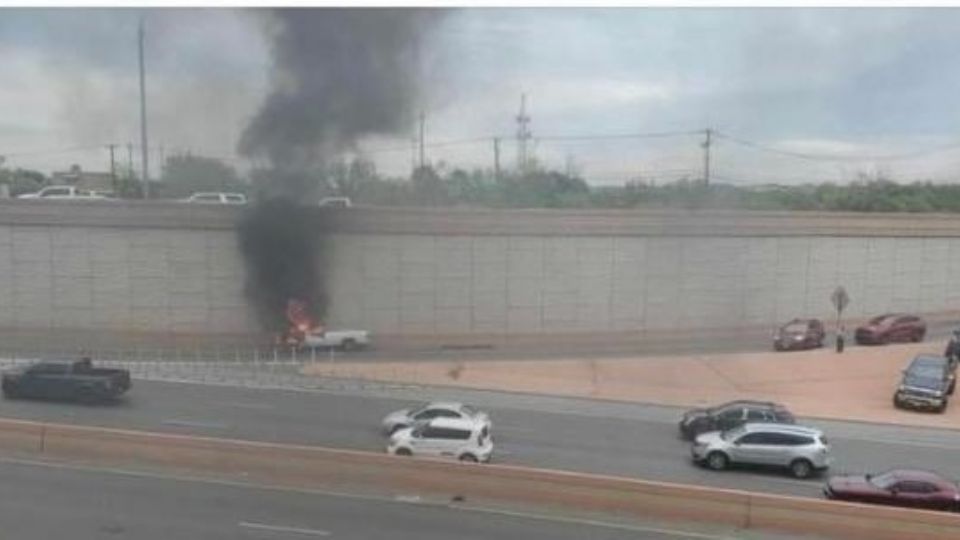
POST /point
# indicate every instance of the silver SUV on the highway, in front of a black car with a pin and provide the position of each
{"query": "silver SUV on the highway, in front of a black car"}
(802, 450)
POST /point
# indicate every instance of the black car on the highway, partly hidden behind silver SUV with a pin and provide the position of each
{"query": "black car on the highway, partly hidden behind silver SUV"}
(732, 414)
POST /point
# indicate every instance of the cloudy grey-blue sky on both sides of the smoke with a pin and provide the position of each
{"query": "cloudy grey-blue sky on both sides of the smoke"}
(860, 85)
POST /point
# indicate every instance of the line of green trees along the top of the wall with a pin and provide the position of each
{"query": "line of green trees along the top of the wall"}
(536, 187)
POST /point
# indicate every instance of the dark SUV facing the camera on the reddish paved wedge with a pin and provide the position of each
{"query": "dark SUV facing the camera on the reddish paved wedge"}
(927, 382)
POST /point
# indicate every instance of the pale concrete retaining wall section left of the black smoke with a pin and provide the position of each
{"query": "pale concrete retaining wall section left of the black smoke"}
(120, 268)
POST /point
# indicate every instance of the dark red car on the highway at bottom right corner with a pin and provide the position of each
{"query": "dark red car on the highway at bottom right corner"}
(909, 488)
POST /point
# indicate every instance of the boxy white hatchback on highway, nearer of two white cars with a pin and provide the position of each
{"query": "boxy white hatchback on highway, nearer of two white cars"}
(452, 438)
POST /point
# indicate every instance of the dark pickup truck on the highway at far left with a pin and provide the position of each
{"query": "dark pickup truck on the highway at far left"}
(66, 380)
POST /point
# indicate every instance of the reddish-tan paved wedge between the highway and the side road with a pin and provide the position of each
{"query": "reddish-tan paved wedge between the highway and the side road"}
(855, 385)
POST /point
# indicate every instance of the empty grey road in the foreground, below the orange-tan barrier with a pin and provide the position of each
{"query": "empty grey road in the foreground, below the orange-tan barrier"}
(40, 502)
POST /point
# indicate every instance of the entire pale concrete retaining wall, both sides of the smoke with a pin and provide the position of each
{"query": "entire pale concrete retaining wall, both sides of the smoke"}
(174, 269)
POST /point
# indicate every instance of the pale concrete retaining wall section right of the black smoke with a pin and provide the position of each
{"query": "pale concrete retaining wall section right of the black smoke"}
(575, 272)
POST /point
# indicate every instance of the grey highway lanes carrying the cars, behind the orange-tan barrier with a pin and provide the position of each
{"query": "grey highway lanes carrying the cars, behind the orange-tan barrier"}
(621, 439)
